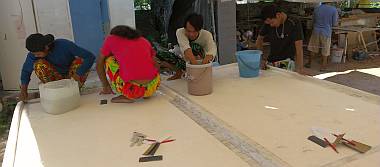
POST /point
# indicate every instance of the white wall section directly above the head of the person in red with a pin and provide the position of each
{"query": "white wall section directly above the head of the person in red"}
(121, 12)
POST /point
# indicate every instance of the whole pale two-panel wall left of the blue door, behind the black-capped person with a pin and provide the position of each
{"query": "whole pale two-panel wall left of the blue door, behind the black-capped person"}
(17, 22)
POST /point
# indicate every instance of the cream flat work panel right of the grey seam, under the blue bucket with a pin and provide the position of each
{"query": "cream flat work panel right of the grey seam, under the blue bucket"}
(277, 110)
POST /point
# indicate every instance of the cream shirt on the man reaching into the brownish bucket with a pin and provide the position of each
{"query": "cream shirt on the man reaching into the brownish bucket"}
(204, 39)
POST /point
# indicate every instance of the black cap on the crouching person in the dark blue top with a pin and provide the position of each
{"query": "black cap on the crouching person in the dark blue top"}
(38, 42)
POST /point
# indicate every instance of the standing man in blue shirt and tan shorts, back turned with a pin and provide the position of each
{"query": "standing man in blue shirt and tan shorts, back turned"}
(324, 18)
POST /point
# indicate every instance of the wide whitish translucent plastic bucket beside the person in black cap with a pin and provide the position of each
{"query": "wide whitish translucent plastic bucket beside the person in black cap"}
(60, 96)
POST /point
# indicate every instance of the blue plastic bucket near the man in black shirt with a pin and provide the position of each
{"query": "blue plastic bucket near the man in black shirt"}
(249, 63)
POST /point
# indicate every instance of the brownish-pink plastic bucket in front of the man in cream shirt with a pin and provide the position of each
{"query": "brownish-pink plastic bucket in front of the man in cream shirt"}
(199, 79)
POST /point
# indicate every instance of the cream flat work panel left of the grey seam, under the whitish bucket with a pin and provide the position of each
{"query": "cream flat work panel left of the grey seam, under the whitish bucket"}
(99, 135)
